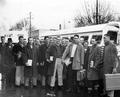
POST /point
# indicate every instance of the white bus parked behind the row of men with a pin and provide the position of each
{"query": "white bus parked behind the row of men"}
(89, 32)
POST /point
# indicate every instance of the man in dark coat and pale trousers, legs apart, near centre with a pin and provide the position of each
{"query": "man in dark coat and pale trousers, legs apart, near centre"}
(54, 55)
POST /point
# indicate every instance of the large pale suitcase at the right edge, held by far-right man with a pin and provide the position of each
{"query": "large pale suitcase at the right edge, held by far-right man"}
(112, 81)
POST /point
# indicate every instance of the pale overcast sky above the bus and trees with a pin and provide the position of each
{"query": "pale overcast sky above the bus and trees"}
(45, 13)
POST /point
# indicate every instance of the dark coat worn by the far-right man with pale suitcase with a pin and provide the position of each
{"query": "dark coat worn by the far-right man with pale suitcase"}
(110, 56)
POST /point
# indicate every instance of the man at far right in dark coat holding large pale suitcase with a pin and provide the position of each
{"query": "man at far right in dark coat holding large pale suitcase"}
(110, 59)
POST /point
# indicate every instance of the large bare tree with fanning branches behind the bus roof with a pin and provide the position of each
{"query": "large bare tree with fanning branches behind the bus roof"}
(100, 10)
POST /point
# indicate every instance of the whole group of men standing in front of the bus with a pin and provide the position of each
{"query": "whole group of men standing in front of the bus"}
(48, 59)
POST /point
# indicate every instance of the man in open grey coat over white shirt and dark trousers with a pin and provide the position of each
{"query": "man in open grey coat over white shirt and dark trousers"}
(77, 61)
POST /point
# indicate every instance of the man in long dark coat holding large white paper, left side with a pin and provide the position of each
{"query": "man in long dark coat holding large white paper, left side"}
(31, 55)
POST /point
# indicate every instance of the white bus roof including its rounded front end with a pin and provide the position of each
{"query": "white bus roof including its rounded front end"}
(80, 30)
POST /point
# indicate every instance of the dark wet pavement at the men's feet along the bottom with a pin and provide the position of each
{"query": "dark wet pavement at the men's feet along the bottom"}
(41, 92)
